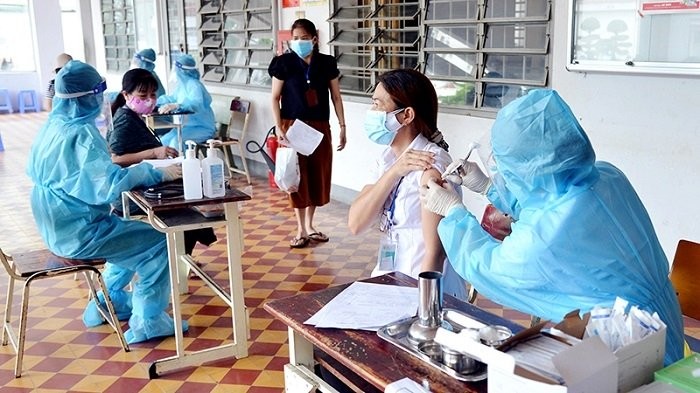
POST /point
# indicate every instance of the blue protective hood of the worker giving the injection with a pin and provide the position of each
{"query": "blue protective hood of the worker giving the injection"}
(540, 148)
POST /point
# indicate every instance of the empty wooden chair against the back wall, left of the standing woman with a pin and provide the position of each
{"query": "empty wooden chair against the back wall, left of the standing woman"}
(234, 134)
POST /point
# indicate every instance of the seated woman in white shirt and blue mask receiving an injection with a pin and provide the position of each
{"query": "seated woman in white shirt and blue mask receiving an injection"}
(404, 117)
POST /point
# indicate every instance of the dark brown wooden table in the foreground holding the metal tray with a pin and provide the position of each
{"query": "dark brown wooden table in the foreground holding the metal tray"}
(361, 358)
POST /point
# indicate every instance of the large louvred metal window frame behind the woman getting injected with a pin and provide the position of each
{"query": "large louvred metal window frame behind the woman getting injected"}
(426, 52)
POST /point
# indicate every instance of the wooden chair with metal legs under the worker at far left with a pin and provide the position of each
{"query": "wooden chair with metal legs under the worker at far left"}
(35, 265)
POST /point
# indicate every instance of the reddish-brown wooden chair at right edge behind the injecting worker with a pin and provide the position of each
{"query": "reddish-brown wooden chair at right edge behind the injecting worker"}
(684, 276)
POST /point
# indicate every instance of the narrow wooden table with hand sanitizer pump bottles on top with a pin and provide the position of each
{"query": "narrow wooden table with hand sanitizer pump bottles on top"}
(173, 217)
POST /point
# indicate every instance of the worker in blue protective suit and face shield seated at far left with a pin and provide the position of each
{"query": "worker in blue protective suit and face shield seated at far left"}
(75, 181)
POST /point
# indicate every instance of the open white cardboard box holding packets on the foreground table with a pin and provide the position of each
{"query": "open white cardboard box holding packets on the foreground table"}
(587, 367)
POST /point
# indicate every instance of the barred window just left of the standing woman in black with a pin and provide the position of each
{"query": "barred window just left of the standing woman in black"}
(236, 41)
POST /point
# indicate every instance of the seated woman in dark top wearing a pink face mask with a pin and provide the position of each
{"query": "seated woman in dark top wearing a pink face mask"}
(131, 141)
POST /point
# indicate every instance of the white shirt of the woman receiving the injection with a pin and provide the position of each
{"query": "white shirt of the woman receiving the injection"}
(407, 227)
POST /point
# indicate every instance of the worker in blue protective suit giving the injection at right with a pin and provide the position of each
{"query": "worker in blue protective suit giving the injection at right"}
(581, 235)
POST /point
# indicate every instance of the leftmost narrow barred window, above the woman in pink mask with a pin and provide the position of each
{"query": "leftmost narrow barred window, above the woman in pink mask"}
(119, 34)
